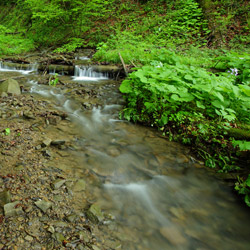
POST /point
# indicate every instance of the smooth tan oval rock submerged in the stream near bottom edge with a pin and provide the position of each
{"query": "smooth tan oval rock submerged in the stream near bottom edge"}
(173, 235)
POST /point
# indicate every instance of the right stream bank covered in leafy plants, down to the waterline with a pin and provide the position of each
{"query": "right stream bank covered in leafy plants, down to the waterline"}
(207, 111)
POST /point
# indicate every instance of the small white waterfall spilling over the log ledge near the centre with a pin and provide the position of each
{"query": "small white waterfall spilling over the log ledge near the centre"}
(88, 74)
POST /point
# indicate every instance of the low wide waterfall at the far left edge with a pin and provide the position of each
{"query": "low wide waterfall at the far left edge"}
(22, 68)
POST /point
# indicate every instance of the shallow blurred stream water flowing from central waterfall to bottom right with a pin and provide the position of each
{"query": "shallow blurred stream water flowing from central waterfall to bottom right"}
(159, 197)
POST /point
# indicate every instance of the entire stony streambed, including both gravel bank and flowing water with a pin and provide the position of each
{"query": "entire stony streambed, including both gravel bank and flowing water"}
(74, 176)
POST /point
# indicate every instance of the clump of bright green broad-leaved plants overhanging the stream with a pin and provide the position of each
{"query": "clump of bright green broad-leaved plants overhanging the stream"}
(188, 104)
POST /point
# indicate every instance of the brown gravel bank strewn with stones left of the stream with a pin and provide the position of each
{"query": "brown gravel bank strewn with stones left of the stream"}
(36, 196)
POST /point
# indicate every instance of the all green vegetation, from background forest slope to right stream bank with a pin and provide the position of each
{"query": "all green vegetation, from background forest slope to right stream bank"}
(191, 76)
